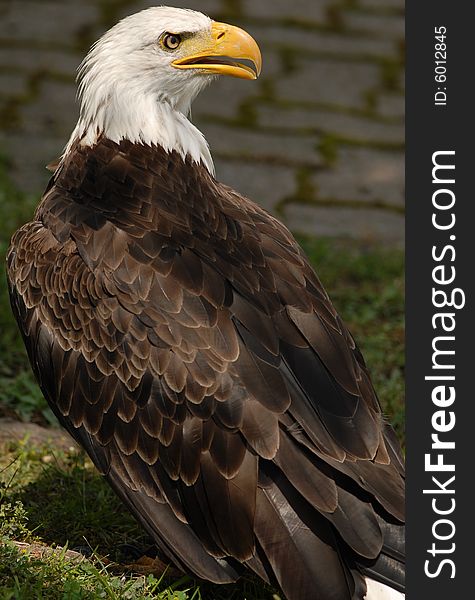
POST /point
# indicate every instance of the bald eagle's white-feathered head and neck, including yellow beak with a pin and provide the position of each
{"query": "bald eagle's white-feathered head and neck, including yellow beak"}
(139, 80)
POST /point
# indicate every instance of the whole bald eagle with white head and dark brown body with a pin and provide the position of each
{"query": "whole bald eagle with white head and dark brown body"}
(181, 336)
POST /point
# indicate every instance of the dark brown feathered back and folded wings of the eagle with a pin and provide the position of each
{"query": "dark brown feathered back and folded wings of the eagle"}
(180, 334)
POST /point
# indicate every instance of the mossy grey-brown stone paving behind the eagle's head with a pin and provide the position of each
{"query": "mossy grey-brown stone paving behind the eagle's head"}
(318, 140)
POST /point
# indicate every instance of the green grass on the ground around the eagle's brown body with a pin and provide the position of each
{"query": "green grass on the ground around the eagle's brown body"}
(58, 499)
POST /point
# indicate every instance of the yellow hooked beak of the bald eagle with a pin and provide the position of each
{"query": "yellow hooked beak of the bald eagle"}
(225, 55)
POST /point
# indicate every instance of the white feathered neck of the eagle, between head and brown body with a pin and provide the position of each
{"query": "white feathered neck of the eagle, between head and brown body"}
(140, 118)
